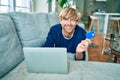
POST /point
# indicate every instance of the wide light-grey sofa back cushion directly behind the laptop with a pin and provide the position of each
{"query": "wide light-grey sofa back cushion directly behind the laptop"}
(32, 28)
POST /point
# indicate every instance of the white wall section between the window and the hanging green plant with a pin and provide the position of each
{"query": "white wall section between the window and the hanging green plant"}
(40, 6)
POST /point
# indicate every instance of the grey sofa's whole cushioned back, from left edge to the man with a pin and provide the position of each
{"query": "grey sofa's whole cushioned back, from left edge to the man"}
(19, 30)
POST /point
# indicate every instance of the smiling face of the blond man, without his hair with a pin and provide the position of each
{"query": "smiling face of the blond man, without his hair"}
(68, 25)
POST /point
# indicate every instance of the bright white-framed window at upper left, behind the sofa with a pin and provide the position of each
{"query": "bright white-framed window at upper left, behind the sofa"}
(15, 5)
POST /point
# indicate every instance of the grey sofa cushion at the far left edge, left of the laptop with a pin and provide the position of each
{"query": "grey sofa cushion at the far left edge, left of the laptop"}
(11, 52)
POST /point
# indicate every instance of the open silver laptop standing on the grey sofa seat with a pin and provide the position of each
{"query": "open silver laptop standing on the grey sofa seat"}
(46, 60)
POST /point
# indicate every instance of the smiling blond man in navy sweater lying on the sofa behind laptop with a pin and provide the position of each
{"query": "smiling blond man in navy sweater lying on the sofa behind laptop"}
(68, 34)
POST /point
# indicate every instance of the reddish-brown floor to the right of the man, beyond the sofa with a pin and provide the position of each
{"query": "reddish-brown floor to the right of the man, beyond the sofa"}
(95, 52)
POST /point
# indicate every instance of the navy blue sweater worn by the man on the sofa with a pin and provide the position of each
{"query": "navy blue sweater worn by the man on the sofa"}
(55, 38)
